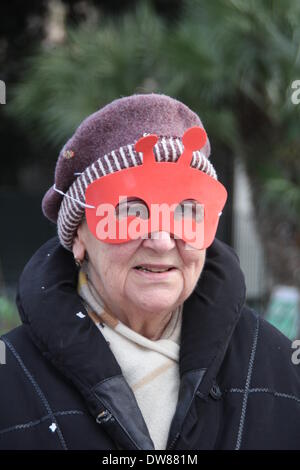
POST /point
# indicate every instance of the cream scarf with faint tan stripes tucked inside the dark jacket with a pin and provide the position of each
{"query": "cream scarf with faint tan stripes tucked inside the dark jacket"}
(150, 367)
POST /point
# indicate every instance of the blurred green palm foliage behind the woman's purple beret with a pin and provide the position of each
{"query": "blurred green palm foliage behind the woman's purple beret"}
(232, 61)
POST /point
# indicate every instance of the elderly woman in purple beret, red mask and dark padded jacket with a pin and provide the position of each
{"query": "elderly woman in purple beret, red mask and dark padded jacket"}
(135, 333)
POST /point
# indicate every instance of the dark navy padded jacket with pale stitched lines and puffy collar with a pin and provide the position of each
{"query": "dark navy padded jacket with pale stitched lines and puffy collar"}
(62, 388)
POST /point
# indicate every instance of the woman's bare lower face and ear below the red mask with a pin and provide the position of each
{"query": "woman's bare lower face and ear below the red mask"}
(112, 269)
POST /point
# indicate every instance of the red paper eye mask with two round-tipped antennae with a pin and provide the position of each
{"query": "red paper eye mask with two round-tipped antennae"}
(169, 196)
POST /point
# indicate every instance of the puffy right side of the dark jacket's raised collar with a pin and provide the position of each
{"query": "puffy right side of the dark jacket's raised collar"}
(211, 313)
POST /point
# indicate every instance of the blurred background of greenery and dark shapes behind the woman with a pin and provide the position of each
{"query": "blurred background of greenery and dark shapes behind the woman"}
(234, 62)
